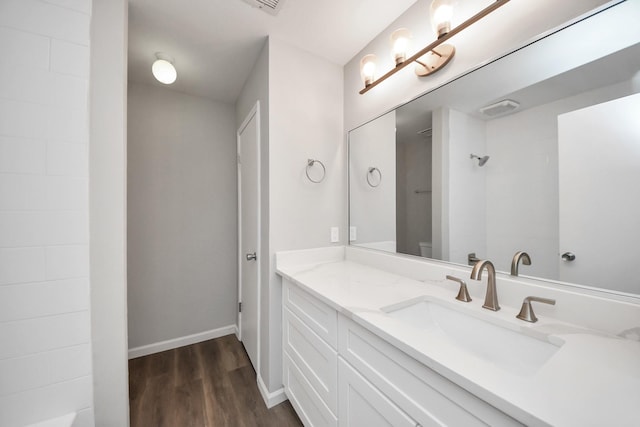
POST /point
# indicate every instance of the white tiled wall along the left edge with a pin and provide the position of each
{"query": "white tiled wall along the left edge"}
(45, 327)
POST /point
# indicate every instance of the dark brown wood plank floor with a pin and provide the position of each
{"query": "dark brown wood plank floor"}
(207, 384)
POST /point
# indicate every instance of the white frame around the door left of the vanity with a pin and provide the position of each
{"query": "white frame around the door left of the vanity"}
(255, 111)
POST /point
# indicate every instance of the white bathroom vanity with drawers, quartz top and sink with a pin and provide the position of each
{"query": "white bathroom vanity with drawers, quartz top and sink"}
(371, 338)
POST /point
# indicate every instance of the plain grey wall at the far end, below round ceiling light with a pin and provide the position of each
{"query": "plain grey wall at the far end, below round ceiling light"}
(182, 210)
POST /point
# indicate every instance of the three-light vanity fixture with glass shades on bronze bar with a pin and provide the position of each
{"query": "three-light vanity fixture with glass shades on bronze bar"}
(432, 57)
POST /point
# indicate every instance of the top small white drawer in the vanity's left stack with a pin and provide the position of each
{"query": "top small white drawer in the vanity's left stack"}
(321, 318)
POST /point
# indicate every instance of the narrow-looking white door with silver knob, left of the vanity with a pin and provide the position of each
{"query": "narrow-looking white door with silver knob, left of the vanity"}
(249, 234)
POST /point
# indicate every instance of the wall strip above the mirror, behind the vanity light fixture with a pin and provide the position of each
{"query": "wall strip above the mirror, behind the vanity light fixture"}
(507, 28)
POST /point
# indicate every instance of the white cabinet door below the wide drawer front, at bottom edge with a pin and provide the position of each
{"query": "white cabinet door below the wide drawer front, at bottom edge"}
(362, 405)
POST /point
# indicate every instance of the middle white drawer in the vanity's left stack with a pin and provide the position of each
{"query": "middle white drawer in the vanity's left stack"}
(315, 359)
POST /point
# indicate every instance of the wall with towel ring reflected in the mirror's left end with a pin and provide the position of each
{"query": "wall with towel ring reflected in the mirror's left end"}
(373, 209)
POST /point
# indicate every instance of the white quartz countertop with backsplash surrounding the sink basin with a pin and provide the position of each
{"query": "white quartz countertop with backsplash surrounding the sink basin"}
(593, 379)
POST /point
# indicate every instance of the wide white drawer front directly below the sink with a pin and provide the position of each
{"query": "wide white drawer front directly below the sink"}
(426, 396)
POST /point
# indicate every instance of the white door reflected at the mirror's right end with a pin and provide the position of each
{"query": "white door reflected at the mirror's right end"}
(599, 178)
